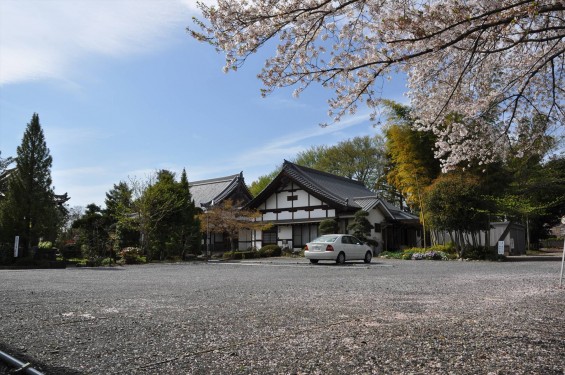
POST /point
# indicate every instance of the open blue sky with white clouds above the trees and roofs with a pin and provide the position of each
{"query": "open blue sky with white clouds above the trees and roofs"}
(122, 90)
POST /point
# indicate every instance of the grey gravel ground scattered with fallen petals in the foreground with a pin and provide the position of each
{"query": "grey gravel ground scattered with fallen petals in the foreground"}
(284, 316)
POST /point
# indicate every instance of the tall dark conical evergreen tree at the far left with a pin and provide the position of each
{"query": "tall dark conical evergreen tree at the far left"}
(29, 209)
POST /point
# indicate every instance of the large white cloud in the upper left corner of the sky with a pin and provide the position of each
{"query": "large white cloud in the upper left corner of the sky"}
(49, 39)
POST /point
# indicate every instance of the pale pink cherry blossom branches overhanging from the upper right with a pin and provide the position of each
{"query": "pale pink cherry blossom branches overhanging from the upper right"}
(492, 63)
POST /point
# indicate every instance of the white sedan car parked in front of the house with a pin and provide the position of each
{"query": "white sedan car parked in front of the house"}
(337, 247)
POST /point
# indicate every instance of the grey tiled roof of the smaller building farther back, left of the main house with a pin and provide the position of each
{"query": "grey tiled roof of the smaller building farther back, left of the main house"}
(206, 192)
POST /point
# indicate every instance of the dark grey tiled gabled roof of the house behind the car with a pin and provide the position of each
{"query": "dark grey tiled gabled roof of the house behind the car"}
(332, 189)
